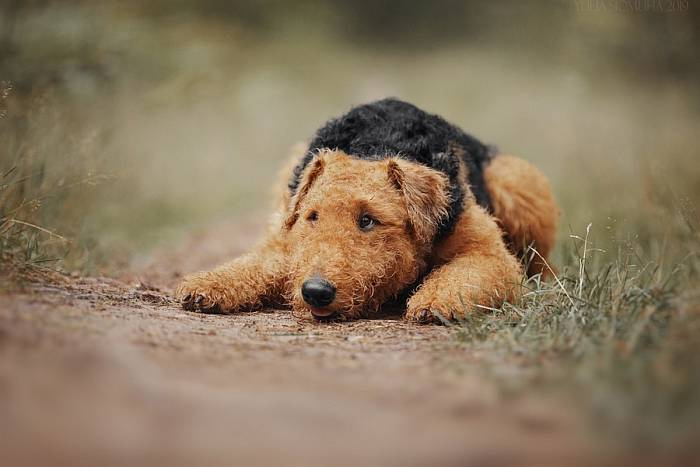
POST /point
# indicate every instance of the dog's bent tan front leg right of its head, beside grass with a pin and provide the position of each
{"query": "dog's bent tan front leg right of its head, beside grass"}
(474, 268)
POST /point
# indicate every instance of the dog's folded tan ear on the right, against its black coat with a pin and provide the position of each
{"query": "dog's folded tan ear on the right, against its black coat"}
(425, 192)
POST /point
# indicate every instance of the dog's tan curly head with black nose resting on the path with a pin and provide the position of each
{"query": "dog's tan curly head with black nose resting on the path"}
(360, 231)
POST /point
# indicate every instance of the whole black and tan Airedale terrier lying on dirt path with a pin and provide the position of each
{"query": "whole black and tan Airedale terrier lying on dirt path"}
(390, 201)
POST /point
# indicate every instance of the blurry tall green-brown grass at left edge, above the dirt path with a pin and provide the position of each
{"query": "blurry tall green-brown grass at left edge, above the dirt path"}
(47, 181)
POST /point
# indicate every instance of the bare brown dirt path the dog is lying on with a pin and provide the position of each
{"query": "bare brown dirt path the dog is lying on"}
(99, 372)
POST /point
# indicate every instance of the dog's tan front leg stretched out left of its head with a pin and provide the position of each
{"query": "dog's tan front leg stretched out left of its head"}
(246, 283)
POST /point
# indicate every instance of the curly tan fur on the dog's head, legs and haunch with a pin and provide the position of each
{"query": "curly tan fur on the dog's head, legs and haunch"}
(316, 234)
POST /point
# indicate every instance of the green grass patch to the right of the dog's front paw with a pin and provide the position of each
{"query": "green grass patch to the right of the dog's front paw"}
(615, 335)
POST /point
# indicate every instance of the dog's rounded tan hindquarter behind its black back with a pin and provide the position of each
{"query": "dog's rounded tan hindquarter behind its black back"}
(522, 201)
